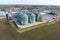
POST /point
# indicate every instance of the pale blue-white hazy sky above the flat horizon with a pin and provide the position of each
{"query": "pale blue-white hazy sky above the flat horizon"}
(31, 2)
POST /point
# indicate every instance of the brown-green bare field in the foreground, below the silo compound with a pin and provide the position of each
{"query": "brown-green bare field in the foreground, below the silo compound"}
(48, 32)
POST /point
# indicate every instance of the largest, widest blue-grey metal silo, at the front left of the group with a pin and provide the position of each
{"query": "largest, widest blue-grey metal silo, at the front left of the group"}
(22, 19)
